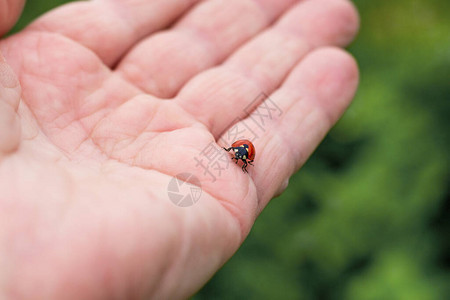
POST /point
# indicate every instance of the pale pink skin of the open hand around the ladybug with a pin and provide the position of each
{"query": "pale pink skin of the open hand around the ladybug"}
(102, 102)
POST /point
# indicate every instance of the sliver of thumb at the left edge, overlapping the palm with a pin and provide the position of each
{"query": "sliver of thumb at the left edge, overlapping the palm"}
(9, 102)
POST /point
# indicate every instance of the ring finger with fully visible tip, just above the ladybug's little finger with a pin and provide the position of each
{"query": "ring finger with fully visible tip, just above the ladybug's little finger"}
(219, 96)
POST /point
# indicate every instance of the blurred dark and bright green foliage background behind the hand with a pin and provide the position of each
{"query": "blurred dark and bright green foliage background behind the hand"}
(368, 217)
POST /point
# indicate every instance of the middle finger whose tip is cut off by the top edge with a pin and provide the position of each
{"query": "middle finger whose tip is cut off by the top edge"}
(162, 63)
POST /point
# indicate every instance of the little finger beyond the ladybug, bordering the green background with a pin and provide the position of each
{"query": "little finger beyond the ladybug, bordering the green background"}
(311, 100)
